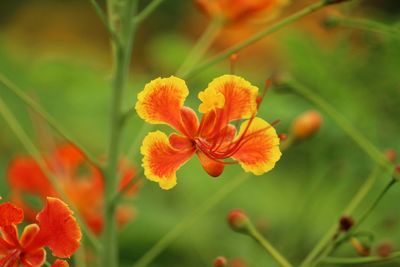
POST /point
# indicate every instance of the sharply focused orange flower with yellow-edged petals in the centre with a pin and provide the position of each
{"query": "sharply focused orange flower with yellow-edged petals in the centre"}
(255, 145)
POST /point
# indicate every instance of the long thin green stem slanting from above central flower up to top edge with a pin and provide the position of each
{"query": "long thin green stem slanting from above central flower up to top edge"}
(255, 38)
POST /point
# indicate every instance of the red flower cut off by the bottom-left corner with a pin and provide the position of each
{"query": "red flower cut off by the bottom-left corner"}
(56, 229)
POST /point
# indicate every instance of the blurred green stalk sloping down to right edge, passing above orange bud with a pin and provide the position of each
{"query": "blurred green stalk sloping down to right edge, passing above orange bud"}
(343, 123)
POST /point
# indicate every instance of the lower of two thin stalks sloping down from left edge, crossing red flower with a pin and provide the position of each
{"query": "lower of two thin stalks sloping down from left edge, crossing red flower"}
(34, 152)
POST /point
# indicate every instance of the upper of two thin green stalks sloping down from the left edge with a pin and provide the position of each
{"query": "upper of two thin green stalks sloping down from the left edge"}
(46, 116)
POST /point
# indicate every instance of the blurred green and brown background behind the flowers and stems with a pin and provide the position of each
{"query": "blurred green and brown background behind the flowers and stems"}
(58, 51)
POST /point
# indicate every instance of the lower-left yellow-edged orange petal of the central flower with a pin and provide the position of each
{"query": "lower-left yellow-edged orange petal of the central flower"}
(161, 160)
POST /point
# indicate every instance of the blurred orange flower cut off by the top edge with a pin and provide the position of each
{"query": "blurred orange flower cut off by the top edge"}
(239, 10)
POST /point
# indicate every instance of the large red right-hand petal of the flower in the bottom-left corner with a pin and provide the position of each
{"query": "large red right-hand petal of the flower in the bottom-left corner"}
(58, 228)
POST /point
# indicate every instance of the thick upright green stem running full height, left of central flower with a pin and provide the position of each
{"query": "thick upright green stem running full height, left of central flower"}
(121, 59)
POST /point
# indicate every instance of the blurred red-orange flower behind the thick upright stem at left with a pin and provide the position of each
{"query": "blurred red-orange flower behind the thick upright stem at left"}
(81, 182)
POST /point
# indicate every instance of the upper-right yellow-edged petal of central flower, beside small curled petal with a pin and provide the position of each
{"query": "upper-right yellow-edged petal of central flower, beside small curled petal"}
(240, 96)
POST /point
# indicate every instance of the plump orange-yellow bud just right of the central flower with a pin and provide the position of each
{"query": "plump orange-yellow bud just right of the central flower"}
(306, 124)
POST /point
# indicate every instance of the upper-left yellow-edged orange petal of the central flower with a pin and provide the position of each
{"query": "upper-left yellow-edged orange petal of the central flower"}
(161, 100)
